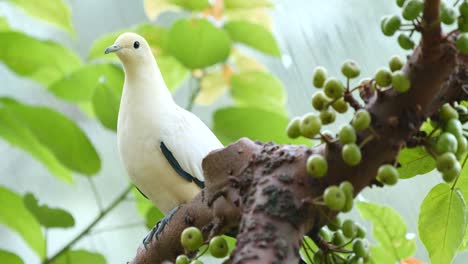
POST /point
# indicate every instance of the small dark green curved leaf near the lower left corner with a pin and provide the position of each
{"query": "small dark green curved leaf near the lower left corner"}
(48, 217)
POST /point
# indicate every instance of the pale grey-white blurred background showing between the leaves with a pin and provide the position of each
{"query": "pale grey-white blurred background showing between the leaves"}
(310, 33)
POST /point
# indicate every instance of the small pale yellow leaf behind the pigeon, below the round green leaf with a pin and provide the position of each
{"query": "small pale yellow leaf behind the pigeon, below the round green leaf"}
(212, 86)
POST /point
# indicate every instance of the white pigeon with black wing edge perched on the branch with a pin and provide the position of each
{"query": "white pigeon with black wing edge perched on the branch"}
(161, 144)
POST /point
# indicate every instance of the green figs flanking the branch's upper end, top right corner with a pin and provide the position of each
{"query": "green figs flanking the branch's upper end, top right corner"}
(411, 13)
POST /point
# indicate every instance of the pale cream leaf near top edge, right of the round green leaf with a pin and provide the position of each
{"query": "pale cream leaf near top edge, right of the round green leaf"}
(259, 16)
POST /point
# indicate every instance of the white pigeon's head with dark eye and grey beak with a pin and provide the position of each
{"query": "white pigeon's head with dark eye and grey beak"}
(131, 48)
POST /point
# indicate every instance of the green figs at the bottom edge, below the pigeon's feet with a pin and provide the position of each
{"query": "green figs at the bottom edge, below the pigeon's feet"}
(192, 239)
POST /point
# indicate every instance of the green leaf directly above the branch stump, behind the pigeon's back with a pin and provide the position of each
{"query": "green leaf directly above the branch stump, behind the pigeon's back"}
(233, 123)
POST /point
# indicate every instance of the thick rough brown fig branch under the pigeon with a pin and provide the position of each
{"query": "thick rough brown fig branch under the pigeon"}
(264, 190)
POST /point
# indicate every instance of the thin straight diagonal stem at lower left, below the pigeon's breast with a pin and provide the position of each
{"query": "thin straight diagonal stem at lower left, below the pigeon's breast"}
(83, 233)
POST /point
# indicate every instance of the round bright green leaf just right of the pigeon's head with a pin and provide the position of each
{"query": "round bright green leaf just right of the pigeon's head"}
(197, 43)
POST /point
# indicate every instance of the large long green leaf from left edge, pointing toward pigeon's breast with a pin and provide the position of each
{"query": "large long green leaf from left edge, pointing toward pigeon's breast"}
(68, 143)
